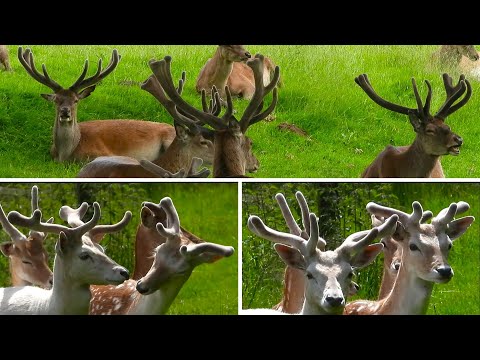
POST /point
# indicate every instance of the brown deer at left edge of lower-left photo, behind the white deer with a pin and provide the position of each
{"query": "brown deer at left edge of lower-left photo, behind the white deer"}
(27, 255)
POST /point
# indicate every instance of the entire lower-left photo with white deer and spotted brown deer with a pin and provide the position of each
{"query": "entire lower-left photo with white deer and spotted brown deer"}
(119, 248)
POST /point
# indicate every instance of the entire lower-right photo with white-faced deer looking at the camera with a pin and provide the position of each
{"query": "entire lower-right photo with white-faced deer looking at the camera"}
(360, 248)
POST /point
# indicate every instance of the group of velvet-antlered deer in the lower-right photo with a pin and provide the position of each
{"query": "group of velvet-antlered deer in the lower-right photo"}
(319, 282)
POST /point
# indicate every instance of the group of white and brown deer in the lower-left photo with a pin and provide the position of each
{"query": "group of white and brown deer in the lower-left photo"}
(84, 279)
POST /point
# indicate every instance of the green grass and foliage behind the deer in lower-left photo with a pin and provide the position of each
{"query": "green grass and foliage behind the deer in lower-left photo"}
(211, 289)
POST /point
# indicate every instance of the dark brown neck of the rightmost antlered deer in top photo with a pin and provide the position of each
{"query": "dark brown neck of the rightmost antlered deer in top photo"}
(418, 162)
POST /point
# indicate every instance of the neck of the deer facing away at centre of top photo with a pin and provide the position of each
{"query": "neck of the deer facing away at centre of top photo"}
(229, 159)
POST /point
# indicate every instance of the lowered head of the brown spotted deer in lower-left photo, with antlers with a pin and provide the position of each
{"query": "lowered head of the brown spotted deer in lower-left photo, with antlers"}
(176, 258)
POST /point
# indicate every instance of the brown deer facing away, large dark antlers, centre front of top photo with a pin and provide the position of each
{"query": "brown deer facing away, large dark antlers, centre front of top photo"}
(233, 150)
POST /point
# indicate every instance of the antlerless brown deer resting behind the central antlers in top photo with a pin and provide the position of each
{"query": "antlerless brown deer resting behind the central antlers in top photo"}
(228, 67)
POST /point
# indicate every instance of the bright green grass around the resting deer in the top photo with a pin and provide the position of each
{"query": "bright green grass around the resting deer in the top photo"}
(345, 128)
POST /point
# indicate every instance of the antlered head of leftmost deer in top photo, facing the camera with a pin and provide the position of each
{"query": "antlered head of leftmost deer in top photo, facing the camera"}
(66, 100)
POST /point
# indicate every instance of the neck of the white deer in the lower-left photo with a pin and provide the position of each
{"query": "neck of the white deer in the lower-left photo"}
(68, 297)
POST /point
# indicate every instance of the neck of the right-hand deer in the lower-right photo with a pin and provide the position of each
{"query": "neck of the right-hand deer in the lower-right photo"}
(410, 294)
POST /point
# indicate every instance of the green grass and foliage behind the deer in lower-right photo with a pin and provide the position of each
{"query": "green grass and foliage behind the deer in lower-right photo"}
(263, 269)
